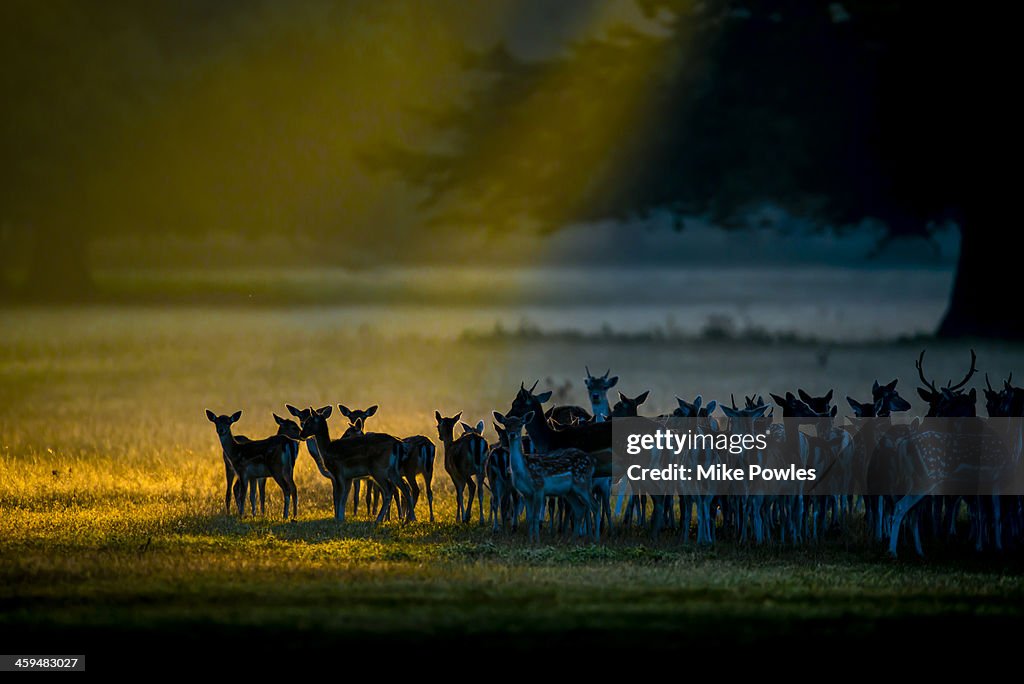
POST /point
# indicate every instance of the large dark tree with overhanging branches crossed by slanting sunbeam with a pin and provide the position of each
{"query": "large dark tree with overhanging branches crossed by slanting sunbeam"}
(840, 112)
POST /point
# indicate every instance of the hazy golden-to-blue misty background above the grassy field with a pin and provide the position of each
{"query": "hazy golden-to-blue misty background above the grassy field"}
(245, 153)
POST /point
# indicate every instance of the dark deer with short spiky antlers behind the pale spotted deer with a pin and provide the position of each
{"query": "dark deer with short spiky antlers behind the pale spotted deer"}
(594, 439)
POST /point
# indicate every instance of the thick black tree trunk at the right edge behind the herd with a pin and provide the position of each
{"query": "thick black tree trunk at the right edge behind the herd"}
(989, 282)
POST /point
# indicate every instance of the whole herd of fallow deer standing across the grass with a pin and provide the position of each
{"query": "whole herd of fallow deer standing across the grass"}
(556, 467)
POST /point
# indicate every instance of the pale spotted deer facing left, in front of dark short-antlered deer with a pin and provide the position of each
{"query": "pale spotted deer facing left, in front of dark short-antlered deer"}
(565, 473)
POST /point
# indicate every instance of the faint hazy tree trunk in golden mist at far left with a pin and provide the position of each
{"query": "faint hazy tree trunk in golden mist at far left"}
(59, 270)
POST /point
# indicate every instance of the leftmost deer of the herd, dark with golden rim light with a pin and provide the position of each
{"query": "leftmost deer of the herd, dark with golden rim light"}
(251, 460)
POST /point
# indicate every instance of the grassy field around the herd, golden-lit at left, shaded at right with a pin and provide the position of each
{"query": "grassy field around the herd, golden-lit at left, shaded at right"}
(112, 529)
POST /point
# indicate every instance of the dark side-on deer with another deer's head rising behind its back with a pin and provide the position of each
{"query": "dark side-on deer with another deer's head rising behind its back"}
(375, 456)
